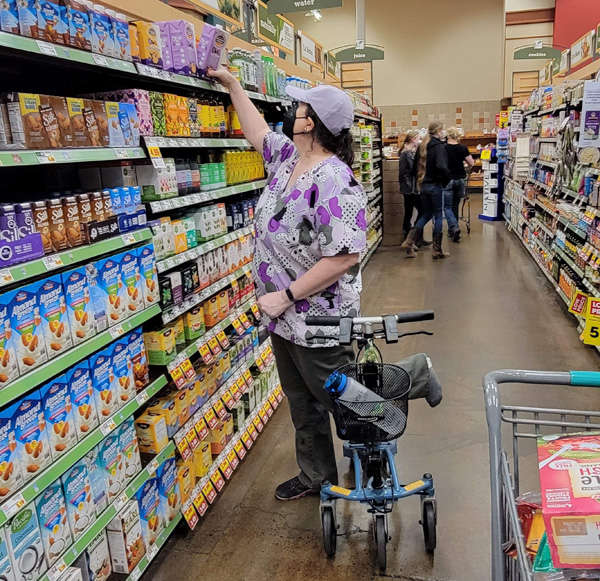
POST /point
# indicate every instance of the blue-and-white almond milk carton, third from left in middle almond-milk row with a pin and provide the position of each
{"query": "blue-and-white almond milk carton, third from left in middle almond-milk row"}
(58, 411)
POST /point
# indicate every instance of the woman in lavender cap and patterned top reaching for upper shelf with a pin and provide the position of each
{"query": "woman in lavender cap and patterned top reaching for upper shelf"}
(310, 228)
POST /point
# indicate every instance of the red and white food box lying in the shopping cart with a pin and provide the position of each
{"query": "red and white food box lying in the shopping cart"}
(570, 484)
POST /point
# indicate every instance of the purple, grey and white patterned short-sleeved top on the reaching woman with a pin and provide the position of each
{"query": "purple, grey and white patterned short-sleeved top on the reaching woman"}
(322, 214)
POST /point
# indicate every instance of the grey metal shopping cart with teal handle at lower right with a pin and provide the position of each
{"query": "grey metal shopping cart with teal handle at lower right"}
(526, 422)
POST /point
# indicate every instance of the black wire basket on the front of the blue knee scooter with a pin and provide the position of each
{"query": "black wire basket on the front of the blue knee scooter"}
(362, 423)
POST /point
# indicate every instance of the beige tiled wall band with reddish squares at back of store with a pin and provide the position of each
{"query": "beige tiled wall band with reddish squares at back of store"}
(470, 115)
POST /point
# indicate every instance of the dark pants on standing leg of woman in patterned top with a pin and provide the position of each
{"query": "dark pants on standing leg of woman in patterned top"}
(303, 371)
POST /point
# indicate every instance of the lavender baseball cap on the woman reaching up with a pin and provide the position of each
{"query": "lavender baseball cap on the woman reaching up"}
(333, 107)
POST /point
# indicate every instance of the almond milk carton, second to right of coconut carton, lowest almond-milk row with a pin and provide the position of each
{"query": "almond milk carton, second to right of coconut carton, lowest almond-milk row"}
(79, 499)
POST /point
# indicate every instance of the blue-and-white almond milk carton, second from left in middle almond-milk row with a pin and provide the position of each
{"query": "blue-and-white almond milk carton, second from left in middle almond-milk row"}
(31, 435)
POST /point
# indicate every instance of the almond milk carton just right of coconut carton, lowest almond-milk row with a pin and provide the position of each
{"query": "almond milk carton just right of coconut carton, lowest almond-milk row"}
(52, 516)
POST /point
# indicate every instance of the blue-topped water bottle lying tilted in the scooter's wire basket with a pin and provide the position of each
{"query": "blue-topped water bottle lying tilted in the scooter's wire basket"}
(368, 406)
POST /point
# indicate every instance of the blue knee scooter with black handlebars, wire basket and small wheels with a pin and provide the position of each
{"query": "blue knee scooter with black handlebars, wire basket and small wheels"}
(370, 430)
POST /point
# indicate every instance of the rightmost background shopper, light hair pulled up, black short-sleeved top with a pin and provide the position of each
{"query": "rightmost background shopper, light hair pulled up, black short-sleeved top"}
(458, 155)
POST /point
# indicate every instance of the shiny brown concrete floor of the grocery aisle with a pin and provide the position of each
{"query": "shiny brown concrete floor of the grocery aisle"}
(494, 309)
